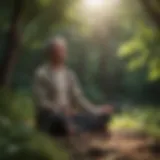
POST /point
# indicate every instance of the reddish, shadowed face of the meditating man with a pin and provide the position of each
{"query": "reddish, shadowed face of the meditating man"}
(58, 52)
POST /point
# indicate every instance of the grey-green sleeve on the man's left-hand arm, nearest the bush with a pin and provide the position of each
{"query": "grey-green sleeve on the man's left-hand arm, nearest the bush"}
(40, 92)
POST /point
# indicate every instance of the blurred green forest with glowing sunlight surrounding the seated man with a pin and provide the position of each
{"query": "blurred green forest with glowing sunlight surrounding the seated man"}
(113, 46)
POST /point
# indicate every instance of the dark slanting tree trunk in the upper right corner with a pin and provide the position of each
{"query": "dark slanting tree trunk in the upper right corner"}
(153, 13)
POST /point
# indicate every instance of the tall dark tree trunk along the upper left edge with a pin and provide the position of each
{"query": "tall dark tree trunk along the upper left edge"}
(10, 54)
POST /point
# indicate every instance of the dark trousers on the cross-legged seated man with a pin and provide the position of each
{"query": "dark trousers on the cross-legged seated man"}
(57, 124)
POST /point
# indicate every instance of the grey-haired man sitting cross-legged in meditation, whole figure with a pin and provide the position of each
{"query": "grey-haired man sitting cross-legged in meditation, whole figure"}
(58, 96)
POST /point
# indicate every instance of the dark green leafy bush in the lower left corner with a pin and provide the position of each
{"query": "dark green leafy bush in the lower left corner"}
(18, 138)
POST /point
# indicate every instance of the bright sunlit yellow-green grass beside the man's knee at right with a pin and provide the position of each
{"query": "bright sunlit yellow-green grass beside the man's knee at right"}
(143, 119)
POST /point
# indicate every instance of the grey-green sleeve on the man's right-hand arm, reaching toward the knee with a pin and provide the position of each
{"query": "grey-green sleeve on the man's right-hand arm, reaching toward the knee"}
(79, 97)
